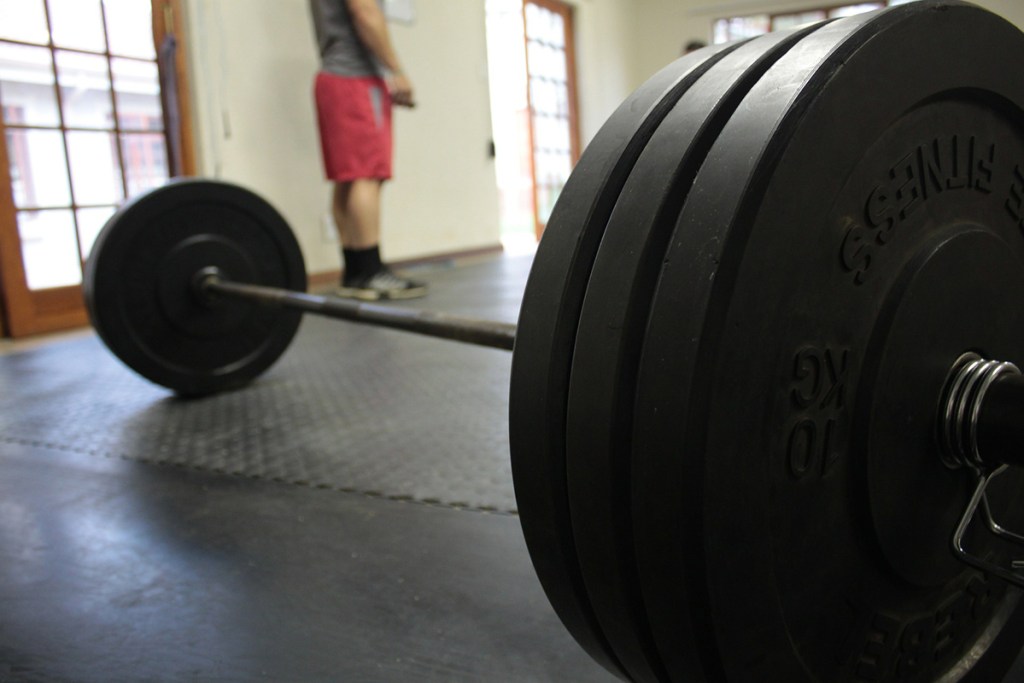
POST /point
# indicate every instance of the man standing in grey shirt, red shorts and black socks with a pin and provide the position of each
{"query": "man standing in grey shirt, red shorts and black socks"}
(360, 79)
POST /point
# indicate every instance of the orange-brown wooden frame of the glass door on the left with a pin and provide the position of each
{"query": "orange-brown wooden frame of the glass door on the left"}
(25, 313)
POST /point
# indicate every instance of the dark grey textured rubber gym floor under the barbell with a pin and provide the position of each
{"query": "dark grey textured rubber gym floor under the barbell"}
(350, 517)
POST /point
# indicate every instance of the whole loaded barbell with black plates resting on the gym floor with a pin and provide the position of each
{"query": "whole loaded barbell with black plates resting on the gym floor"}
(764, 420)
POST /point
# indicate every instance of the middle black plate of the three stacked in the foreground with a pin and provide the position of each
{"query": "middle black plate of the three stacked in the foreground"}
(612, 326)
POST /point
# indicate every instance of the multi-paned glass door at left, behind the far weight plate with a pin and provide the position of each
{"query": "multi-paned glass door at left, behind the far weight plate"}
(83, 130)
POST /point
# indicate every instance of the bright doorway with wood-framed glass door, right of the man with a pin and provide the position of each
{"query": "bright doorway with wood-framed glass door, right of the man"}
(532, 65)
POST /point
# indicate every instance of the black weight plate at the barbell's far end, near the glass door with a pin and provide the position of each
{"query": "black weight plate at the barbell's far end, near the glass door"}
(141, 296)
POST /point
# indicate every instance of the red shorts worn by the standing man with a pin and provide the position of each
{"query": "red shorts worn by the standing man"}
(355, 117)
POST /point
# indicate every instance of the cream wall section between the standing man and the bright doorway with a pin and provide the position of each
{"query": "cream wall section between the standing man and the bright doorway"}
(445, 197)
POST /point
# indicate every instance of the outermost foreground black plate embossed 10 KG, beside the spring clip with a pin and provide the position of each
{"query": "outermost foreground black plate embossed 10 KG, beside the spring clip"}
(854, 231)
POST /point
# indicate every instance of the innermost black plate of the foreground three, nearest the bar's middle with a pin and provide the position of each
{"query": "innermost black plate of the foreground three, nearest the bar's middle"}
(547, 330)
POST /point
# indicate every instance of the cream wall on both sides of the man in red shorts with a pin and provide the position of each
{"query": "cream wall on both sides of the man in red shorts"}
(253, 63)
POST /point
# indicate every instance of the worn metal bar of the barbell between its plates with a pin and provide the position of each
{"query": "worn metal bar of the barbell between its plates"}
(432, 324)
